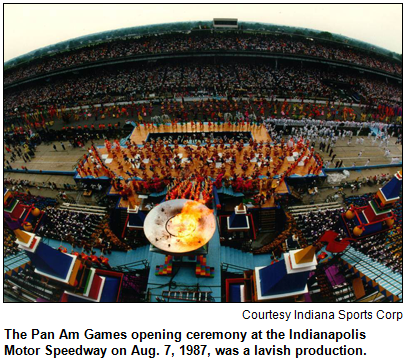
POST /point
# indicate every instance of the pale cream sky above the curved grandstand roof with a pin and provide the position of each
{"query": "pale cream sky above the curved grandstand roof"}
(31, 26)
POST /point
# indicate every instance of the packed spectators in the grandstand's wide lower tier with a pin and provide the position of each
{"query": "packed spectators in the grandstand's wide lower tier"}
(123, 84)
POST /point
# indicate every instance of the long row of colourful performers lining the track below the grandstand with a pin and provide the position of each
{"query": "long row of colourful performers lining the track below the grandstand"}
(211, 109)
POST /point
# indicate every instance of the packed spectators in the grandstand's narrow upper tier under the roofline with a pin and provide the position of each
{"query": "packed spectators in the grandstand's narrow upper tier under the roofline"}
(208, 42)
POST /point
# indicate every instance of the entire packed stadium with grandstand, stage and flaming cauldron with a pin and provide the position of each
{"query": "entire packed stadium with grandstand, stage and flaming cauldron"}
(211, 161)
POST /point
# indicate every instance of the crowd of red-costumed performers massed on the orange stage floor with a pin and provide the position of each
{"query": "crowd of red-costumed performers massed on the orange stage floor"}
(154, 165)
